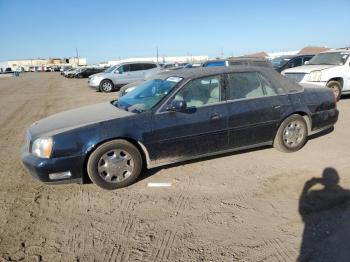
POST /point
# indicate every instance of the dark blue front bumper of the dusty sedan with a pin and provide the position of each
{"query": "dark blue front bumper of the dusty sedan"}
(41, 168)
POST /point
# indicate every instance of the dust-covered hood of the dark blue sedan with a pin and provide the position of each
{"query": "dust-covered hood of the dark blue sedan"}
(75, 118)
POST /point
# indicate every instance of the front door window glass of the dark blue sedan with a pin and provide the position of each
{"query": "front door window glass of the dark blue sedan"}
(200, 92)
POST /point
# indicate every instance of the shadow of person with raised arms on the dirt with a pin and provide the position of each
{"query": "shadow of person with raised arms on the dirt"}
(326, 215)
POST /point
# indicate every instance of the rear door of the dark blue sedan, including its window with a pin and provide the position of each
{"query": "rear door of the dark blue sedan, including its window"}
(255, 109)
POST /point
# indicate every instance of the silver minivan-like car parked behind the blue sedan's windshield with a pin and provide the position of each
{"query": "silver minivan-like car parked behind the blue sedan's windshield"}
(122, 74)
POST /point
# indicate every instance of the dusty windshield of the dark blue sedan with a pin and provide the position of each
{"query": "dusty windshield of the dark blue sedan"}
(146, 95)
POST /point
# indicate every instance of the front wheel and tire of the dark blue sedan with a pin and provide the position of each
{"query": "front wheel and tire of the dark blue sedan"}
(124, 178)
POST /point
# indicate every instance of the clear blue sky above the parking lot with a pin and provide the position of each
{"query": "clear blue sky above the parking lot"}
(106, 30)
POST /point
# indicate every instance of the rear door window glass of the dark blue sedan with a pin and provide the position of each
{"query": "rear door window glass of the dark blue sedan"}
(248, 85)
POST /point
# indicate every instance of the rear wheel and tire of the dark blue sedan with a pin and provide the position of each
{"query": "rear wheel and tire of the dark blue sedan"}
(292, 128)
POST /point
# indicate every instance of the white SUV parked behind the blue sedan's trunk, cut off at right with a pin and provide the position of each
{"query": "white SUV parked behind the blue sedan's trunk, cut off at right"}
(327, 69)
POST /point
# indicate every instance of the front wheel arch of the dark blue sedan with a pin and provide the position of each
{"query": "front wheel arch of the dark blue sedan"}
(138, 144)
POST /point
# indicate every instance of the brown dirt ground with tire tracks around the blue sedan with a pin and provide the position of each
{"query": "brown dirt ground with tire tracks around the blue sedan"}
(246, 206)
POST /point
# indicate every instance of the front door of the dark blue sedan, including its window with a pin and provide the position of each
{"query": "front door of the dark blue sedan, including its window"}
(198, 130)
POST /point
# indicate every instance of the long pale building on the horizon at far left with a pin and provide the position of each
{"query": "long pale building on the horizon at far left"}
(41, 64)
